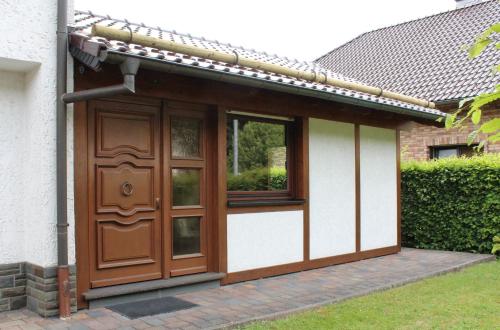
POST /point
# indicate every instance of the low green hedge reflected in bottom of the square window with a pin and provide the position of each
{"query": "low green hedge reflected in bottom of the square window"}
(260, 179)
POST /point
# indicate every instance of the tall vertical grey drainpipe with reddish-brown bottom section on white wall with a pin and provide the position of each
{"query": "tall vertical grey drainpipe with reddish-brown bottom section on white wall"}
(62, 221)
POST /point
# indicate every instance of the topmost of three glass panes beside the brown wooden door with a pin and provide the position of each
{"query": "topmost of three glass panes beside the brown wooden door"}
(185, 137)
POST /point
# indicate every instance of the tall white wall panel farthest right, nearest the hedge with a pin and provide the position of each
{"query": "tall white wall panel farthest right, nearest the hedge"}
(378, 183)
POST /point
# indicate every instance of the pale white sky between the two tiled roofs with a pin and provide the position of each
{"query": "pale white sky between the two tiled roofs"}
(303, 30)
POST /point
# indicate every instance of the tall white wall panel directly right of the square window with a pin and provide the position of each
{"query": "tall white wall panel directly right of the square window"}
(332, 188)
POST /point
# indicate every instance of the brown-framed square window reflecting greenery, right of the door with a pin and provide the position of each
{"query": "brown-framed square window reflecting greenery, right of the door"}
(258, 157)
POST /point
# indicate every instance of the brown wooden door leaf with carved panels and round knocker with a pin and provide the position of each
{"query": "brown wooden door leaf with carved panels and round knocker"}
(124, 193)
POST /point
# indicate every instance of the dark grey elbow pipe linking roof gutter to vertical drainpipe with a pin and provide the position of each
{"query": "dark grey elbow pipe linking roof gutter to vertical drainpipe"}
(128, 67)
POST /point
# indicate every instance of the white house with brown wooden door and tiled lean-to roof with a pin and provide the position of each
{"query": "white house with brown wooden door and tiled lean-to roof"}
(149, 161)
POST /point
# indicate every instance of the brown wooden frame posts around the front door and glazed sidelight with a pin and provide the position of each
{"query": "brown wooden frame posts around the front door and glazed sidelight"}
(215, 201)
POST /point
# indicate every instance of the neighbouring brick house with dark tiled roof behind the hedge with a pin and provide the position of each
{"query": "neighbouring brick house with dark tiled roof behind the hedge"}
(426, 58)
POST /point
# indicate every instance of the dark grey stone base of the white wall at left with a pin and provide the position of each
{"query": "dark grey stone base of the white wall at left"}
(24, 284)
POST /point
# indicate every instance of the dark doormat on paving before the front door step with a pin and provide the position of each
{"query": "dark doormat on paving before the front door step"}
(136, 309)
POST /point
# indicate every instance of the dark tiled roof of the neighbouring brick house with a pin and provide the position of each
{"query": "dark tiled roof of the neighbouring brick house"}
(424, 58)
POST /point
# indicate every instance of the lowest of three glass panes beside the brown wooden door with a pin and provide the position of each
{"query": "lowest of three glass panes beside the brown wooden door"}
(186, 238)
